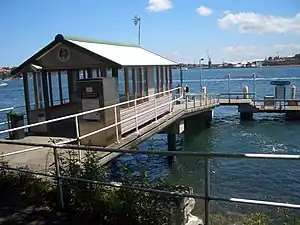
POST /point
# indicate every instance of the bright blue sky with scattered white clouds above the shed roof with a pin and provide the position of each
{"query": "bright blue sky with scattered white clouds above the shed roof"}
(182, 30)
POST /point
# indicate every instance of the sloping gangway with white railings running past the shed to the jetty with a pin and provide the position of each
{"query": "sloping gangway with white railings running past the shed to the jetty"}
(178, 108)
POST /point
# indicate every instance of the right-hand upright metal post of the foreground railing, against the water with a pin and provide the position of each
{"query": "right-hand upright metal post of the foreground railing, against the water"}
(207, 192)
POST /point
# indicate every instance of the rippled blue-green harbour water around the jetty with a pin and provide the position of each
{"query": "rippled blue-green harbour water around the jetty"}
(255, 179)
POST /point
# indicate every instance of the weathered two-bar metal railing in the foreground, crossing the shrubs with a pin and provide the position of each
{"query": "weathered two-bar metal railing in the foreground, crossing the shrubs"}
(207, 197)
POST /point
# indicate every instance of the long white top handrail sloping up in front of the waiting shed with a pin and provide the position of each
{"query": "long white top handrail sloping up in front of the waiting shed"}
(84, 113)
